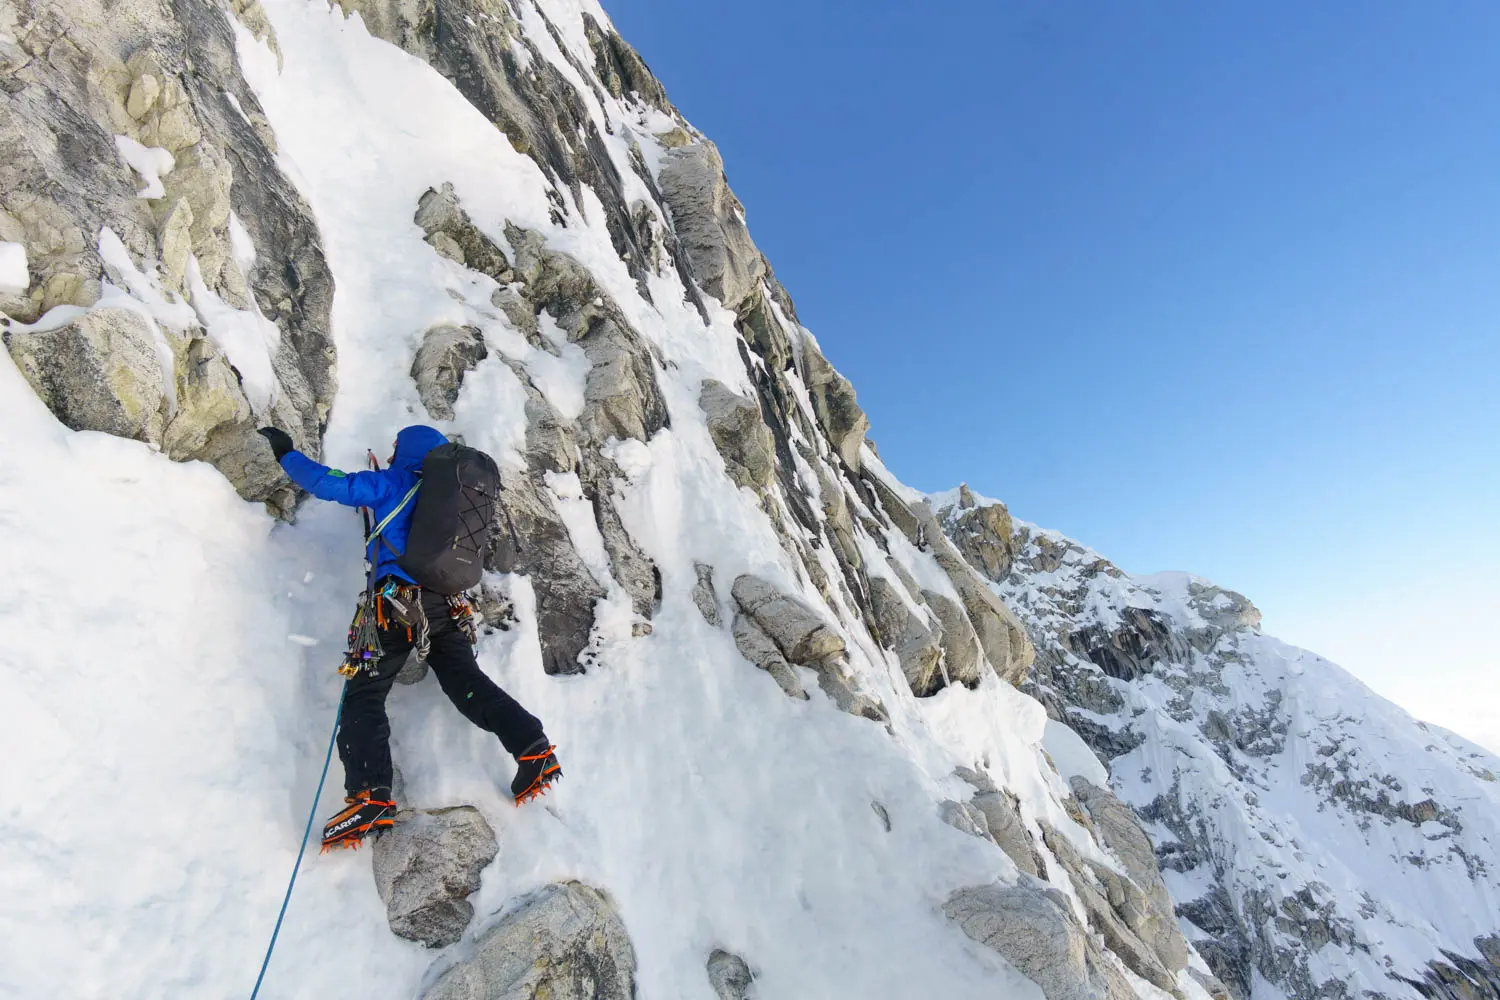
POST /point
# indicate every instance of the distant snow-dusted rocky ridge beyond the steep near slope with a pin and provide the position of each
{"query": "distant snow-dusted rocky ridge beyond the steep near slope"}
(1318, 840)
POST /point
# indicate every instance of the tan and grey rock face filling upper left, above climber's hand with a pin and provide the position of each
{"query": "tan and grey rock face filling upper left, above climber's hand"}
(167, 83)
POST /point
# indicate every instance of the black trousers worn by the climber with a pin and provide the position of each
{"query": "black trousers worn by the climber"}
(365, 728)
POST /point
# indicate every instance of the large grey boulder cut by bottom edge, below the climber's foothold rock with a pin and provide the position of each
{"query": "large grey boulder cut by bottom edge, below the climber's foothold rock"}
(565, 944)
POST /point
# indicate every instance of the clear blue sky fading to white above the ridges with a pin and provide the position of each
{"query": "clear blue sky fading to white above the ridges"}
(1210, 287)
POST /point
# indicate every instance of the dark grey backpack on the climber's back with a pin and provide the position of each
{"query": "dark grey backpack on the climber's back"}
(452, 521)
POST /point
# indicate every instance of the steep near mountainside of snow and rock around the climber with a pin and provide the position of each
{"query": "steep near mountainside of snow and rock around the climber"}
(797, 762)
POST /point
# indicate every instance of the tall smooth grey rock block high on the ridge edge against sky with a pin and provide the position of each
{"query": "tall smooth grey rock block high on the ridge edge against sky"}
(710, 224)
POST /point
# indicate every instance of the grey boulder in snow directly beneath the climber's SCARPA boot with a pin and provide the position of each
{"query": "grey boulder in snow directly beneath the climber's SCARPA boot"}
(427, 867)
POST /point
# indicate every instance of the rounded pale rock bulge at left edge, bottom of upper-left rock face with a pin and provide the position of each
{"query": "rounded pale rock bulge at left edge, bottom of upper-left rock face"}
(100, 373)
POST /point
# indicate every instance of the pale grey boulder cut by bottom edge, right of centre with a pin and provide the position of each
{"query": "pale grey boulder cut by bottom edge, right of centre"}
(1036, 932)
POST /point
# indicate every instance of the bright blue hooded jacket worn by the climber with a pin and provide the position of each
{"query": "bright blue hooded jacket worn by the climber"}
(382, 493)
